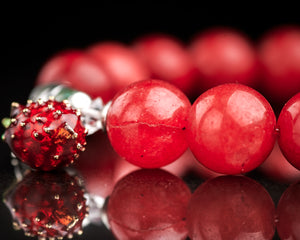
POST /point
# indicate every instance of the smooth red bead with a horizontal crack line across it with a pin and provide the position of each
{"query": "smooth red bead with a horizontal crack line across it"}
(146, 123)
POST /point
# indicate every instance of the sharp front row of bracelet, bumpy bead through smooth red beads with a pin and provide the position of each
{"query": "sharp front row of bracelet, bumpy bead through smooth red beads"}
(231, 128)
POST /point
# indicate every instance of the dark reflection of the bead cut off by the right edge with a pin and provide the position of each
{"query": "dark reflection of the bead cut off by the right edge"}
(288, 213)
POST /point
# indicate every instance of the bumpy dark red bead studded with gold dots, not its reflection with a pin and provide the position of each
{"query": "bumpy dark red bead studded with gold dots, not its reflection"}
(45, 135)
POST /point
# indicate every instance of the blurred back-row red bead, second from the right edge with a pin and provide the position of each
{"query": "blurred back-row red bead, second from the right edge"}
(224, 56)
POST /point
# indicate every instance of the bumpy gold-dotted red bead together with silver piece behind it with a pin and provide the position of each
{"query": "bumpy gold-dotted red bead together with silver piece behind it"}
(49, 132)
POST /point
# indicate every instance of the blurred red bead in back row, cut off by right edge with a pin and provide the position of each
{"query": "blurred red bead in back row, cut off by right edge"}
(280, 56)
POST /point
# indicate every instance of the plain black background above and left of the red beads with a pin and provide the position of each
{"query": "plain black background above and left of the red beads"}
(31, 35)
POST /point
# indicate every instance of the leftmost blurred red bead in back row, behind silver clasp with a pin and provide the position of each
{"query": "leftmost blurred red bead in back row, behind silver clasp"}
(79, 71)
